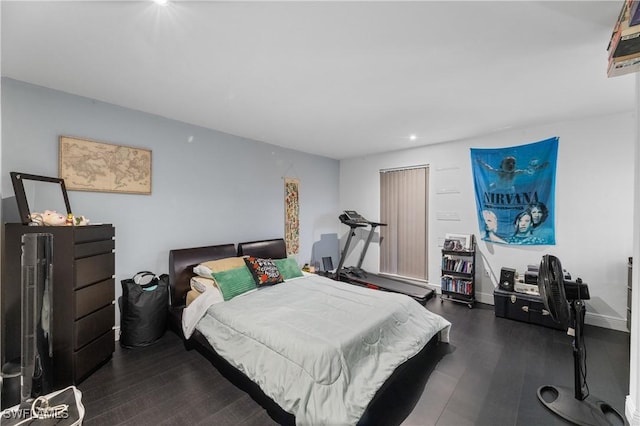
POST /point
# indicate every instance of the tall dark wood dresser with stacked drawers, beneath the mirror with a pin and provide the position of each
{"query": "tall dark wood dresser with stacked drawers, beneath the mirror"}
(83, 293)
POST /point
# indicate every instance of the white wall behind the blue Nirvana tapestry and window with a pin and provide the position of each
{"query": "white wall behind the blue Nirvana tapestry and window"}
(594, 206)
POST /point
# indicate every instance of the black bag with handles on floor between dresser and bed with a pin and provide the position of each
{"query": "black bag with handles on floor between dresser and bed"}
(144, 307)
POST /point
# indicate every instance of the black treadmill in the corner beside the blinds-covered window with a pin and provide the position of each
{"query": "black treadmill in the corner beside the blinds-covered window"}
(358, 276)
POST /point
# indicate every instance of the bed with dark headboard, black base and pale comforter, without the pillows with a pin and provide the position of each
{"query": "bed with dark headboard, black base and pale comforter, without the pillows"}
(327, 373)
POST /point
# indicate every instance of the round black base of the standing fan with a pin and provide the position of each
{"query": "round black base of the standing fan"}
(562, 401)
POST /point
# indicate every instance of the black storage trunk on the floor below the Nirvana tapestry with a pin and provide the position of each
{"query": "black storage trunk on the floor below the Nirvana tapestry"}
(522, 307)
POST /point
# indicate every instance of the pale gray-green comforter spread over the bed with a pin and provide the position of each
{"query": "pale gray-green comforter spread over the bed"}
(320, 348)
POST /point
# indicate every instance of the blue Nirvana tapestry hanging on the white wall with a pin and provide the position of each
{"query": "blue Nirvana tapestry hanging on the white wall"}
(515, 190)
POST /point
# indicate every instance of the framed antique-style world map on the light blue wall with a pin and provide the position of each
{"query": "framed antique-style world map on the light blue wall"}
(87, 165)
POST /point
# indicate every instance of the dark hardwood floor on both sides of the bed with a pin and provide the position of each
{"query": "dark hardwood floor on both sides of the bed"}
(487, 375)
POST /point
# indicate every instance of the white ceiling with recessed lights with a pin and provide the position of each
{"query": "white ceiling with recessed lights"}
(338, 79)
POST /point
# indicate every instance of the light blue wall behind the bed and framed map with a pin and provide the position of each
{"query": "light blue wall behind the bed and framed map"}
(219, 188)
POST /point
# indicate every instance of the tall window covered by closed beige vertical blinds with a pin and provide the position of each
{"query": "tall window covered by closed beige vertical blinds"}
(403, 207)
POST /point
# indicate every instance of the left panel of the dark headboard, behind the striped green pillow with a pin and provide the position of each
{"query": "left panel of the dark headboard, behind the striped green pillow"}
(181, 263)
